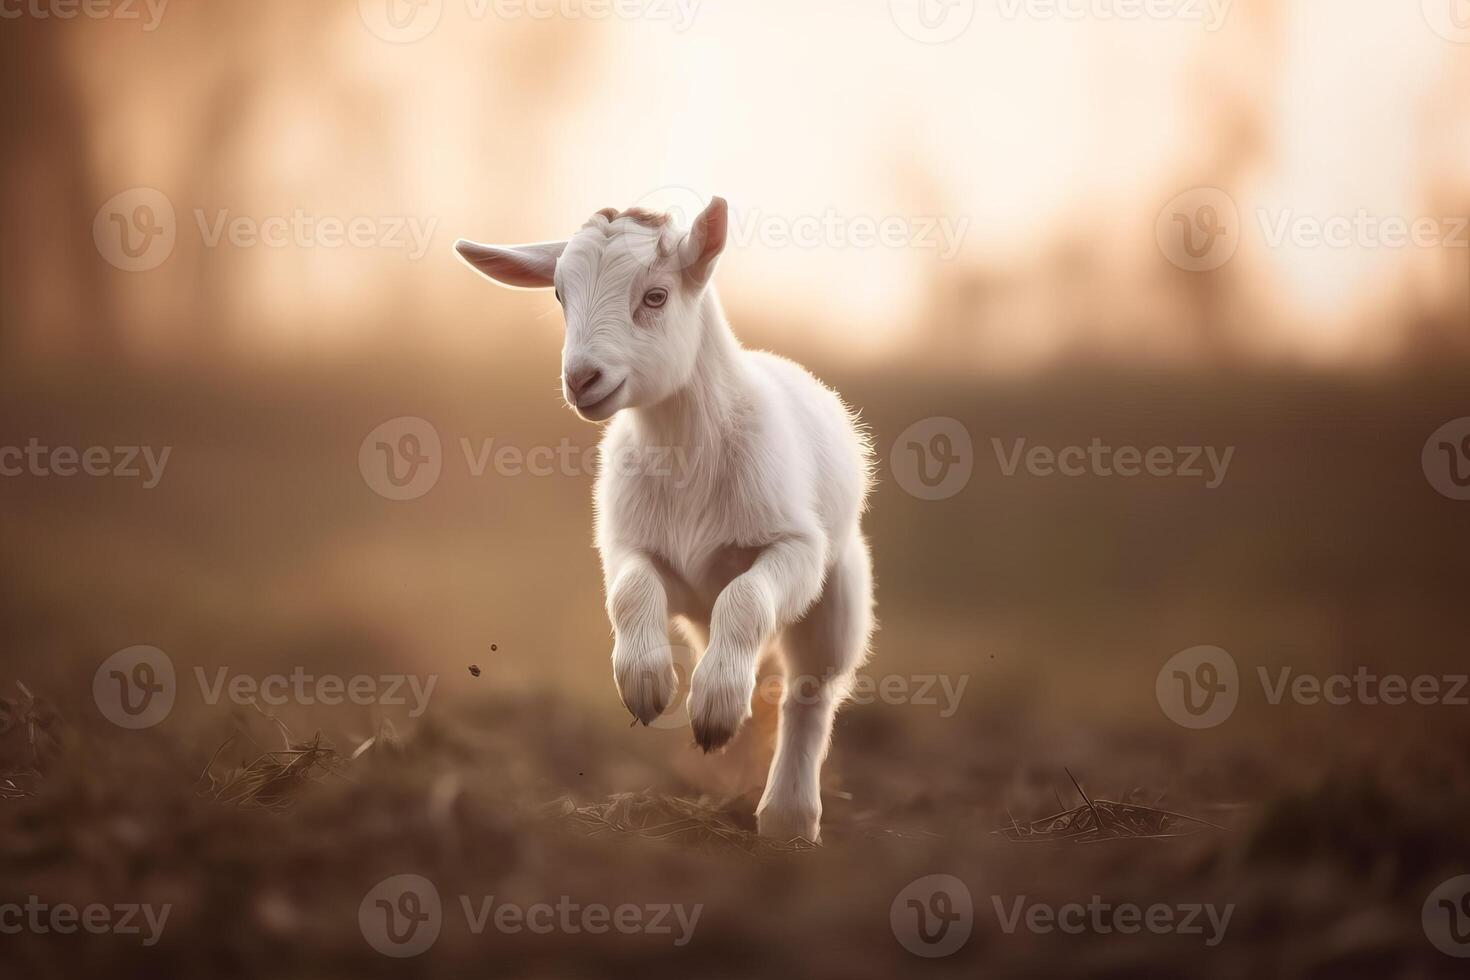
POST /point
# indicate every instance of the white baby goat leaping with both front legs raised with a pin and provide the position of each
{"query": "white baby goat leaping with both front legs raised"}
(762, 543)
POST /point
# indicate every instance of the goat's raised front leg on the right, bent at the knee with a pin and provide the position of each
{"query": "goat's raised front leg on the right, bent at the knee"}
(783, 583)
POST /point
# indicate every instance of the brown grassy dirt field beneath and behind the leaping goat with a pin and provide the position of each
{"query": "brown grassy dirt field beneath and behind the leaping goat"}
(1321, 831)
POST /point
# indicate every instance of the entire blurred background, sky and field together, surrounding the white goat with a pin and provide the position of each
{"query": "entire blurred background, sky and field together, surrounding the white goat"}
(227, 233)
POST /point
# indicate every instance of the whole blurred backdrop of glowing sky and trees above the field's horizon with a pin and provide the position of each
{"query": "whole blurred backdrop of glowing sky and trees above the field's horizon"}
(1053, 143)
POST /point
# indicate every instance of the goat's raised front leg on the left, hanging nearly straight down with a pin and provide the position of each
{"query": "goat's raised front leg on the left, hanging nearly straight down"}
(643, 662)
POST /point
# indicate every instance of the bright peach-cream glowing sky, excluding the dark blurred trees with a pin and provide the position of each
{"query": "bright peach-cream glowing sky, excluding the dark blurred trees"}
(818, 118)
